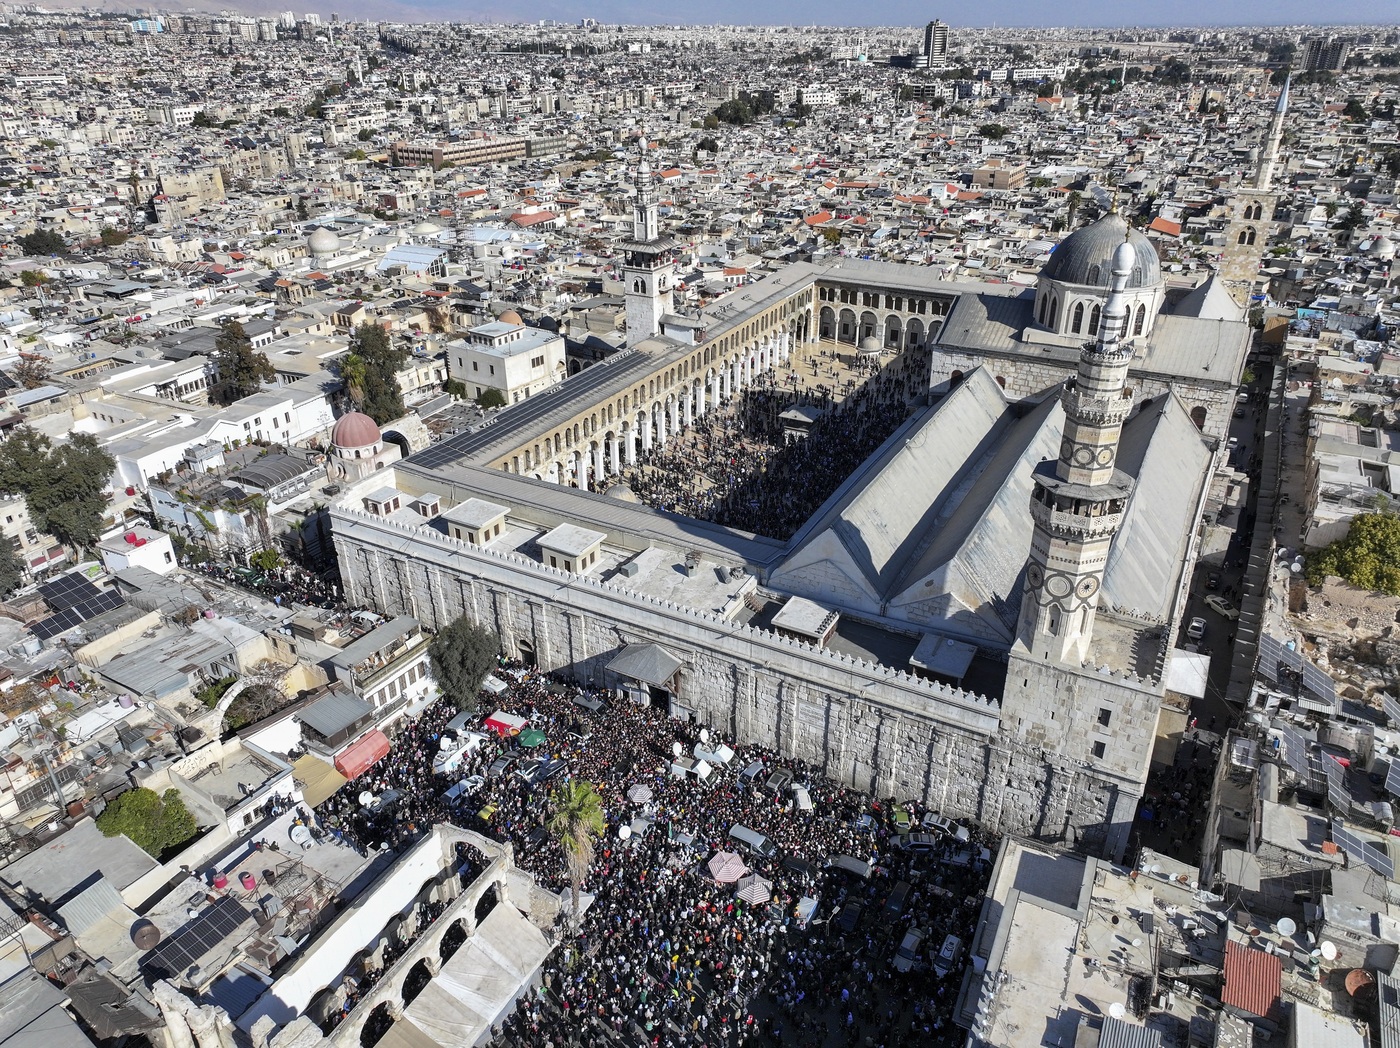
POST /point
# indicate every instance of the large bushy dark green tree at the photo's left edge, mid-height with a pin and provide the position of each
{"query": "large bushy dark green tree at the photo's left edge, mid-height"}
(64, 488)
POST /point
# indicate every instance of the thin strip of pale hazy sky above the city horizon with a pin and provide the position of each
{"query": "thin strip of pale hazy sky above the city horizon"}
(906, 13)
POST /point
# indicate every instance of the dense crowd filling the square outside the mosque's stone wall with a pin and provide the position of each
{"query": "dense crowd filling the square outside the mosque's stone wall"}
(666, 954)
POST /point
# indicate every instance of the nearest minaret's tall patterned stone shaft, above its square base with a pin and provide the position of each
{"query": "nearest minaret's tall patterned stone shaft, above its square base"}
(1079, 502)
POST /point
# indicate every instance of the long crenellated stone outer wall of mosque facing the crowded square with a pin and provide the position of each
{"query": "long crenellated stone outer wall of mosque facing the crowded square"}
(880, 730)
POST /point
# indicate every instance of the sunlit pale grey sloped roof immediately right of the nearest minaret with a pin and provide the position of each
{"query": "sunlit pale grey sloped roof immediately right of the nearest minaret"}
(1164, 450)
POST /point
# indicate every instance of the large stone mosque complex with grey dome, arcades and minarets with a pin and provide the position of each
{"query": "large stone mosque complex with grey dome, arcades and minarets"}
(981, 616)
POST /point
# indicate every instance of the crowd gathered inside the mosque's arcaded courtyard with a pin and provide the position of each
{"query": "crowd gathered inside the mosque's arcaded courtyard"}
(745, 468)
